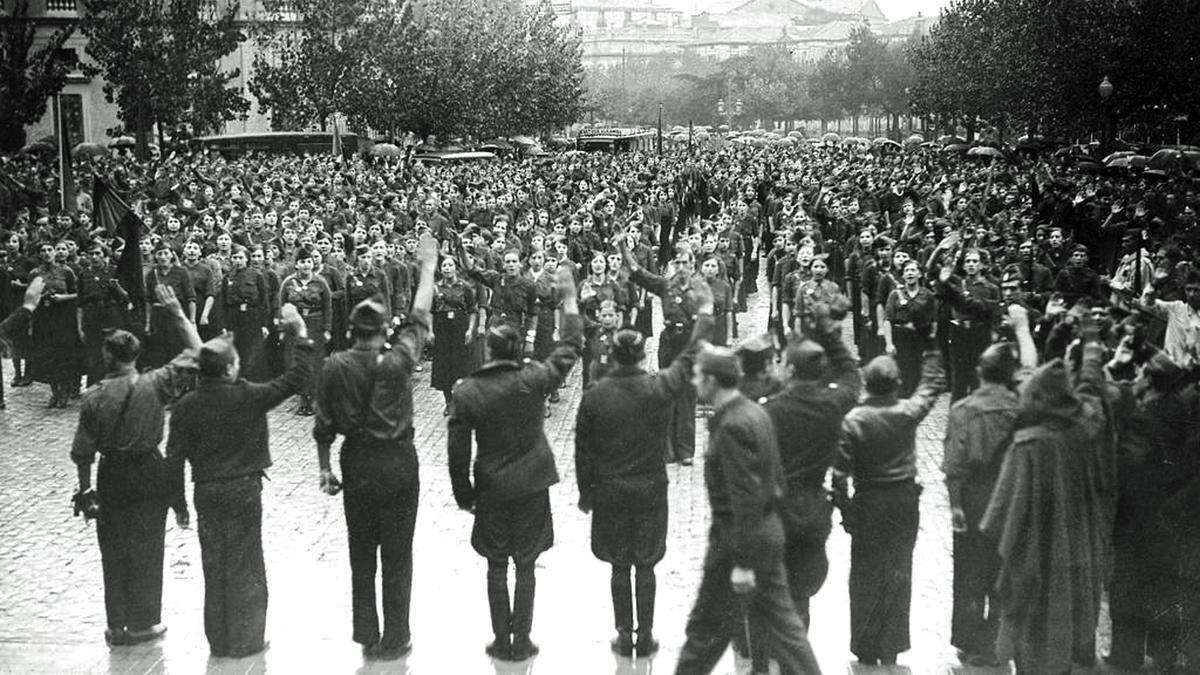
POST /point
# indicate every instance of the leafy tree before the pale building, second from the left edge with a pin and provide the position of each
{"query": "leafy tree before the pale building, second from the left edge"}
(160, 61)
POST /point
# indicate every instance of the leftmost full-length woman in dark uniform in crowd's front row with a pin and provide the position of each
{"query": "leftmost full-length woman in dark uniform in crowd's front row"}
(55, 355)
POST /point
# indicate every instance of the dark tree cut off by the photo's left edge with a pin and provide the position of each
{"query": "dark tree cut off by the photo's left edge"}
(31, 74)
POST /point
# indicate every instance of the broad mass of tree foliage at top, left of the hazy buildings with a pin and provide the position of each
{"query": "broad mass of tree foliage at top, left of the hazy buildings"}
(439, 68)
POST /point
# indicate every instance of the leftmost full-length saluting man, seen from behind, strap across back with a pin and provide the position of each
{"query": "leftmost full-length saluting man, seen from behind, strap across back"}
(122, 420)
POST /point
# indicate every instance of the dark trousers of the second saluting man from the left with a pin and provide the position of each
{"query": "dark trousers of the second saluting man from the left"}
(230, 523)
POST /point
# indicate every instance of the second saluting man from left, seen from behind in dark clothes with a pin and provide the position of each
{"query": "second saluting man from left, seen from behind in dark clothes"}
(221, 431)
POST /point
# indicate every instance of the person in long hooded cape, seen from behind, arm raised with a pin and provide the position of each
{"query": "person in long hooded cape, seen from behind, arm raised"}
(1052, 516)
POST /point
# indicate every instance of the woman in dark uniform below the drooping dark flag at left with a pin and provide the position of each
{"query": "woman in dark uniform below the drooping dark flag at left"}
(103, 306)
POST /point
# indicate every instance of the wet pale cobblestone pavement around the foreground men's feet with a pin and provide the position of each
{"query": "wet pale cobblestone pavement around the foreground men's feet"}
(52, 605)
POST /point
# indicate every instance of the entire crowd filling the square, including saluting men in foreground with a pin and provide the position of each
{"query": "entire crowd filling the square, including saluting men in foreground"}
(1060, 309)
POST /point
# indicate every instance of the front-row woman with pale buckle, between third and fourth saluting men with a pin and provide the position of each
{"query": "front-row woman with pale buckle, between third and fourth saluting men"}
(455, 320)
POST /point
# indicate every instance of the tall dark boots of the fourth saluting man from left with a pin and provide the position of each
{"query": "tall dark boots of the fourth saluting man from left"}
(511, 624)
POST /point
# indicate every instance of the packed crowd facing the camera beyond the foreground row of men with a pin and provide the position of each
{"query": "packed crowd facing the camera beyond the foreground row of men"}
(926, 250)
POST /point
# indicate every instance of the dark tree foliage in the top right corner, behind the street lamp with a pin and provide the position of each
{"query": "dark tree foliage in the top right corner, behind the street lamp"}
(1029, 63)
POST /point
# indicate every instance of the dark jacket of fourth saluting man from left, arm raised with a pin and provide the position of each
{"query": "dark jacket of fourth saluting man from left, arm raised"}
(503, 404)
